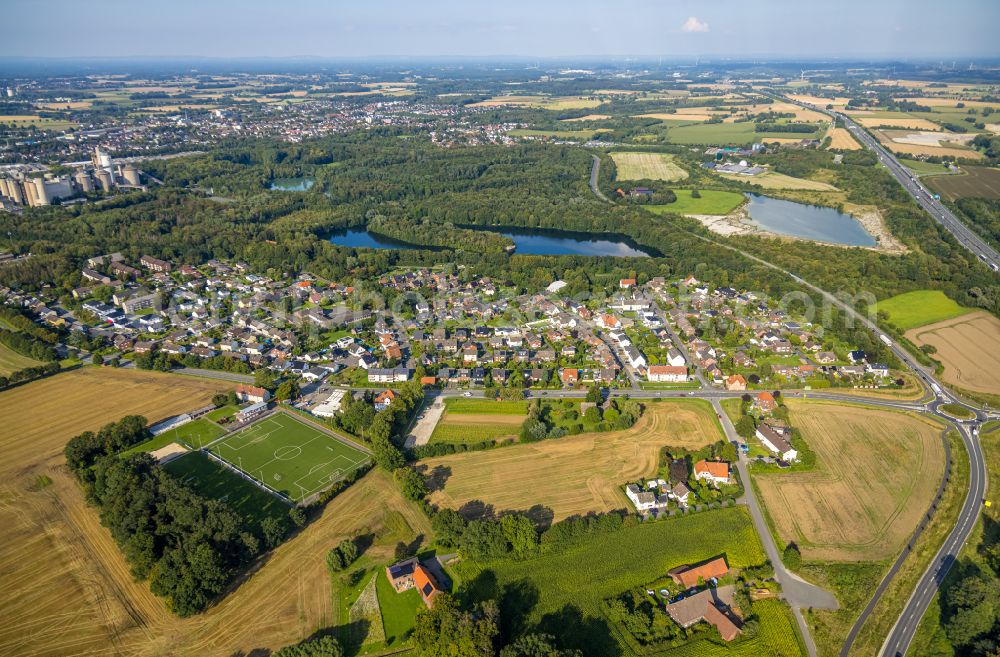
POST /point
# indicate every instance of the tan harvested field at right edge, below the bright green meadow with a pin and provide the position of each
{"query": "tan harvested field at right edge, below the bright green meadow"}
(969, 348)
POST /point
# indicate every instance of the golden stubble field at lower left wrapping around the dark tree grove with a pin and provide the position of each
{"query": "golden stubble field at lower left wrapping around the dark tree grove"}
(68, 591)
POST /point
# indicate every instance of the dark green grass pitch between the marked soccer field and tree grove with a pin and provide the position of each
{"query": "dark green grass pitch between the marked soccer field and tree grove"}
(215, 481)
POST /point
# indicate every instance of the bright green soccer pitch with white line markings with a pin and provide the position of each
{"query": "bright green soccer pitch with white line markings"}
(289, 456)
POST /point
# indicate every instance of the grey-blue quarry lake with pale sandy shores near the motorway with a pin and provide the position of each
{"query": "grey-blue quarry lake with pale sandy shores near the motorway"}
(807, 221)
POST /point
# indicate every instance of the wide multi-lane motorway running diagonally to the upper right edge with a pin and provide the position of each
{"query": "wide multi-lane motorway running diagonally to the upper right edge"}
(965, 236)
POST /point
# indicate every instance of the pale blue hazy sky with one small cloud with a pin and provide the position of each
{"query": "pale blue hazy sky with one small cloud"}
(531, 28)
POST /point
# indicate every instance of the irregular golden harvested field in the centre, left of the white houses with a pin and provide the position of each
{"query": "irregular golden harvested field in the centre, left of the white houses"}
(576, 474)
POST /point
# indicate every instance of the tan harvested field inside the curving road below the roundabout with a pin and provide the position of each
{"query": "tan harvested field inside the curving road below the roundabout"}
(876, 473)
